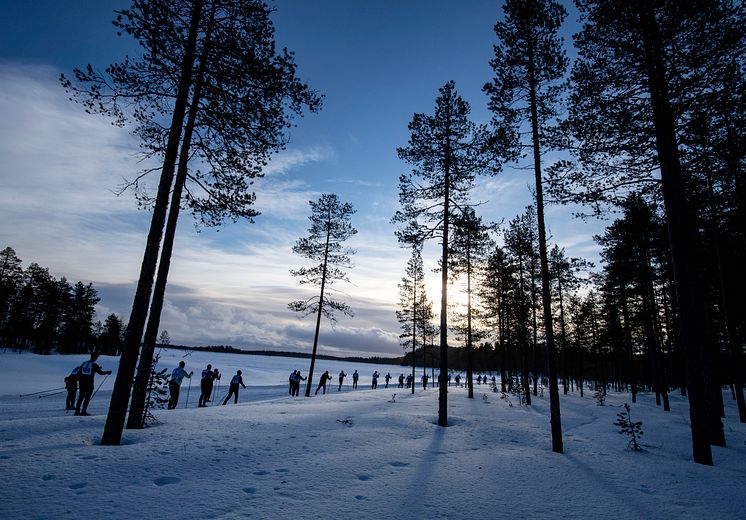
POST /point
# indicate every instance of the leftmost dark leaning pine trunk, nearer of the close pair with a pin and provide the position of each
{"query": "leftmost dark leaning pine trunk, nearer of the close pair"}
(112, 434)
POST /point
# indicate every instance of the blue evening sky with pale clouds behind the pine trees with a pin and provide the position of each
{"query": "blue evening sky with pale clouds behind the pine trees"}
(376, 63)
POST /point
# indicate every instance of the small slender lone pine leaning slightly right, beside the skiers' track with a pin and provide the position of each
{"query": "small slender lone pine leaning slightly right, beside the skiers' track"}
(330, 227)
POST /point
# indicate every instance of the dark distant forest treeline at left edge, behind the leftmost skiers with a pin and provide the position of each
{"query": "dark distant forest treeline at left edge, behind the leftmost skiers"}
(43, 314)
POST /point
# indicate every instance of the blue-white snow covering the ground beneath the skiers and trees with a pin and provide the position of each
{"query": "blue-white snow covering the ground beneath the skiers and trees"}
(349, 454)
